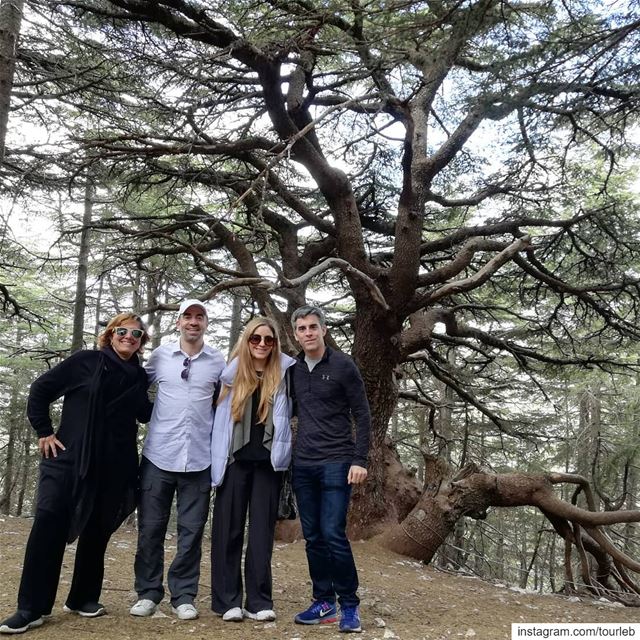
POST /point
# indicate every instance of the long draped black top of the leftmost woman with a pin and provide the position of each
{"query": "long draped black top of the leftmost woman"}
(103, 397)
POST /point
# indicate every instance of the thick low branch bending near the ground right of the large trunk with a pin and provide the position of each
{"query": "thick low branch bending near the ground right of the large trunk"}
(449, 496)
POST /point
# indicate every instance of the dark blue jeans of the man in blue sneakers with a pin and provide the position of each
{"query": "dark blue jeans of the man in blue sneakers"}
(323, 497)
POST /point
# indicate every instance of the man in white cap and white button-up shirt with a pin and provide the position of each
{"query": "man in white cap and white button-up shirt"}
(175, 460)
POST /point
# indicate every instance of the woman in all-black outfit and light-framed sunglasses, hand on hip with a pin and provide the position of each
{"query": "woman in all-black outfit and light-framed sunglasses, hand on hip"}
(88, 471)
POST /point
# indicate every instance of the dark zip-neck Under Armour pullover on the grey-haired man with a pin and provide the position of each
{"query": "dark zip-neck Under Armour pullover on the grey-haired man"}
(326, 399)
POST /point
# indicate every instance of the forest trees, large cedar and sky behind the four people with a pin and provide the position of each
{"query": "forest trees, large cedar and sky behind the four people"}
(455, 182)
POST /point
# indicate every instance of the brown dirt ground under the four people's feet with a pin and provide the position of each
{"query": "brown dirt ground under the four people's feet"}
(400, 599)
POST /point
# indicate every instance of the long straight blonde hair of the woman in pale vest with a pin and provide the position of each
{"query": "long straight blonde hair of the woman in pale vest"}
(246, 380)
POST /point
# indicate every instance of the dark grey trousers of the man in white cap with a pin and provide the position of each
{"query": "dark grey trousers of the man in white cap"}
(158, 487)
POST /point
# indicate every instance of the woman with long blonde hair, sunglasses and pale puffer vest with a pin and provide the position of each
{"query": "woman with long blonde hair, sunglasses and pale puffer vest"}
(251, 446)
